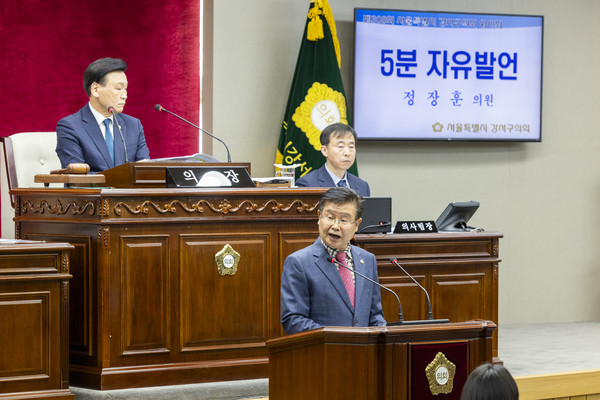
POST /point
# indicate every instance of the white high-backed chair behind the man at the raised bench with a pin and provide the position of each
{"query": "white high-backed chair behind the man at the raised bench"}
(24, 156)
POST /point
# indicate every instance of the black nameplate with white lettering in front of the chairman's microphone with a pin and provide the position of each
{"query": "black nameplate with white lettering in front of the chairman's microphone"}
(207, 177)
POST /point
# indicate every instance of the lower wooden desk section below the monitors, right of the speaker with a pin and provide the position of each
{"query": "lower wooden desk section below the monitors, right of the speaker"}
(459, 270)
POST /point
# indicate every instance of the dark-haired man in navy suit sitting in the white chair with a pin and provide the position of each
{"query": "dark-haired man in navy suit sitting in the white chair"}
(96, 136)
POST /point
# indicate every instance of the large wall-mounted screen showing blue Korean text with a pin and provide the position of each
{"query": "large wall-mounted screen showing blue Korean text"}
(447, 76)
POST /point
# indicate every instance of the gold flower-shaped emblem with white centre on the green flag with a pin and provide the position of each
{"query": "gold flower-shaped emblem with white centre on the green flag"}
(322, 106)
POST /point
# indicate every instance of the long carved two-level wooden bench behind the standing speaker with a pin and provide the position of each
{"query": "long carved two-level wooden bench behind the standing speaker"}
(149, 306)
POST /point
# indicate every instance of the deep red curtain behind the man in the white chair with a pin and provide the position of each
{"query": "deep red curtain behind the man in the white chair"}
(46, 45)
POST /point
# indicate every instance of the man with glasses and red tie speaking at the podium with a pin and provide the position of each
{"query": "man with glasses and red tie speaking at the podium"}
(316, 292)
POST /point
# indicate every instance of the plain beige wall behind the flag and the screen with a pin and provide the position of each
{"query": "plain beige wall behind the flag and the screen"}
(544, 197)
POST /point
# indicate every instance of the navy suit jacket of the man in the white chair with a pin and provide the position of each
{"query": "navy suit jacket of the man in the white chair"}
(80, 140)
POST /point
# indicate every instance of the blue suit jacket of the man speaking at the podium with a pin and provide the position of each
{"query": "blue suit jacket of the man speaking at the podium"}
(313, 294)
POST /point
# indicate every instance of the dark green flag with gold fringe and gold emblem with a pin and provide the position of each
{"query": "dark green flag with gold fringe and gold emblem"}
(317, 96)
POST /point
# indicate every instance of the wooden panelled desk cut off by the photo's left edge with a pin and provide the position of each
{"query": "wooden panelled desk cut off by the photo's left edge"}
(34, 306)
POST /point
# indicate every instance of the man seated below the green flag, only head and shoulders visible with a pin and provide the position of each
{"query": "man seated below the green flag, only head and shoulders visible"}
(338, 145)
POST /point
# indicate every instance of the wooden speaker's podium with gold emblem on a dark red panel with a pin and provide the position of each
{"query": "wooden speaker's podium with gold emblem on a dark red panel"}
(422, 362)
